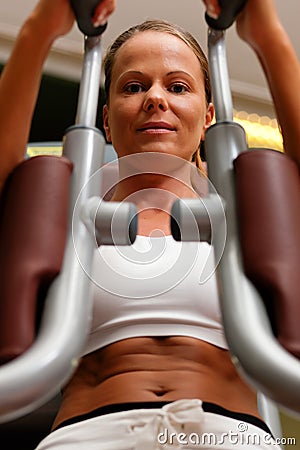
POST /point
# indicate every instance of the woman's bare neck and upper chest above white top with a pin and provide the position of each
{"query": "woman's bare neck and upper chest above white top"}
(153, 182)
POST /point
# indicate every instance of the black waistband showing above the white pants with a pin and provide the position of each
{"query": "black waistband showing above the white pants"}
(206, 406)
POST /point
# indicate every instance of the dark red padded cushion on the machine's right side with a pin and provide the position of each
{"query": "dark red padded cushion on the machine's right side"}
(268, 200)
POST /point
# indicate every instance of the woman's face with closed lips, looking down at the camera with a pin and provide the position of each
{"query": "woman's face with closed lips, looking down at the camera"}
(157, 97)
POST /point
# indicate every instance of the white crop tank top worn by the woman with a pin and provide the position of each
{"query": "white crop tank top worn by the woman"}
(156, 287)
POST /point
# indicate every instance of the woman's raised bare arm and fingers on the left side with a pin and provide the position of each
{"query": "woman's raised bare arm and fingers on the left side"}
(21, 77)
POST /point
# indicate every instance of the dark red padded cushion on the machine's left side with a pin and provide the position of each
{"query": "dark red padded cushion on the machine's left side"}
(33, 226)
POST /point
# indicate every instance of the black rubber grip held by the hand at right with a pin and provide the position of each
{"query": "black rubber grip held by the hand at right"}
(229, 11)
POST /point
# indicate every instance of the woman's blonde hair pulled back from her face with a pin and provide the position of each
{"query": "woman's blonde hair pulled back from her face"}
(161, 26)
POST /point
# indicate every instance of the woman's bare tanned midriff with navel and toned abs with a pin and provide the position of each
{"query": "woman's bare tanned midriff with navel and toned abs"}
(156, 369)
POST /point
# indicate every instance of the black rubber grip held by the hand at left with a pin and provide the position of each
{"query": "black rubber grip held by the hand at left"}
(84, 11)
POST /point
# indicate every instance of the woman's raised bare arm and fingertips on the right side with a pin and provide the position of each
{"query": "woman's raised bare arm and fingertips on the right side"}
(260, 26)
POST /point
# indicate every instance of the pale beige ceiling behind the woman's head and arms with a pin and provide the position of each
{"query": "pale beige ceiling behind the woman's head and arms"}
(247, 80)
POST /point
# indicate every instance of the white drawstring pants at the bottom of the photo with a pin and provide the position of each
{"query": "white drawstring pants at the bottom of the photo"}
(179, 425)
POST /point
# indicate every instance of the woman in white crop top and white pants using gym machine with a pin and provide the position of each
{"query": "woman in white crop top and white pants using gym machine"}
(161, 375)
